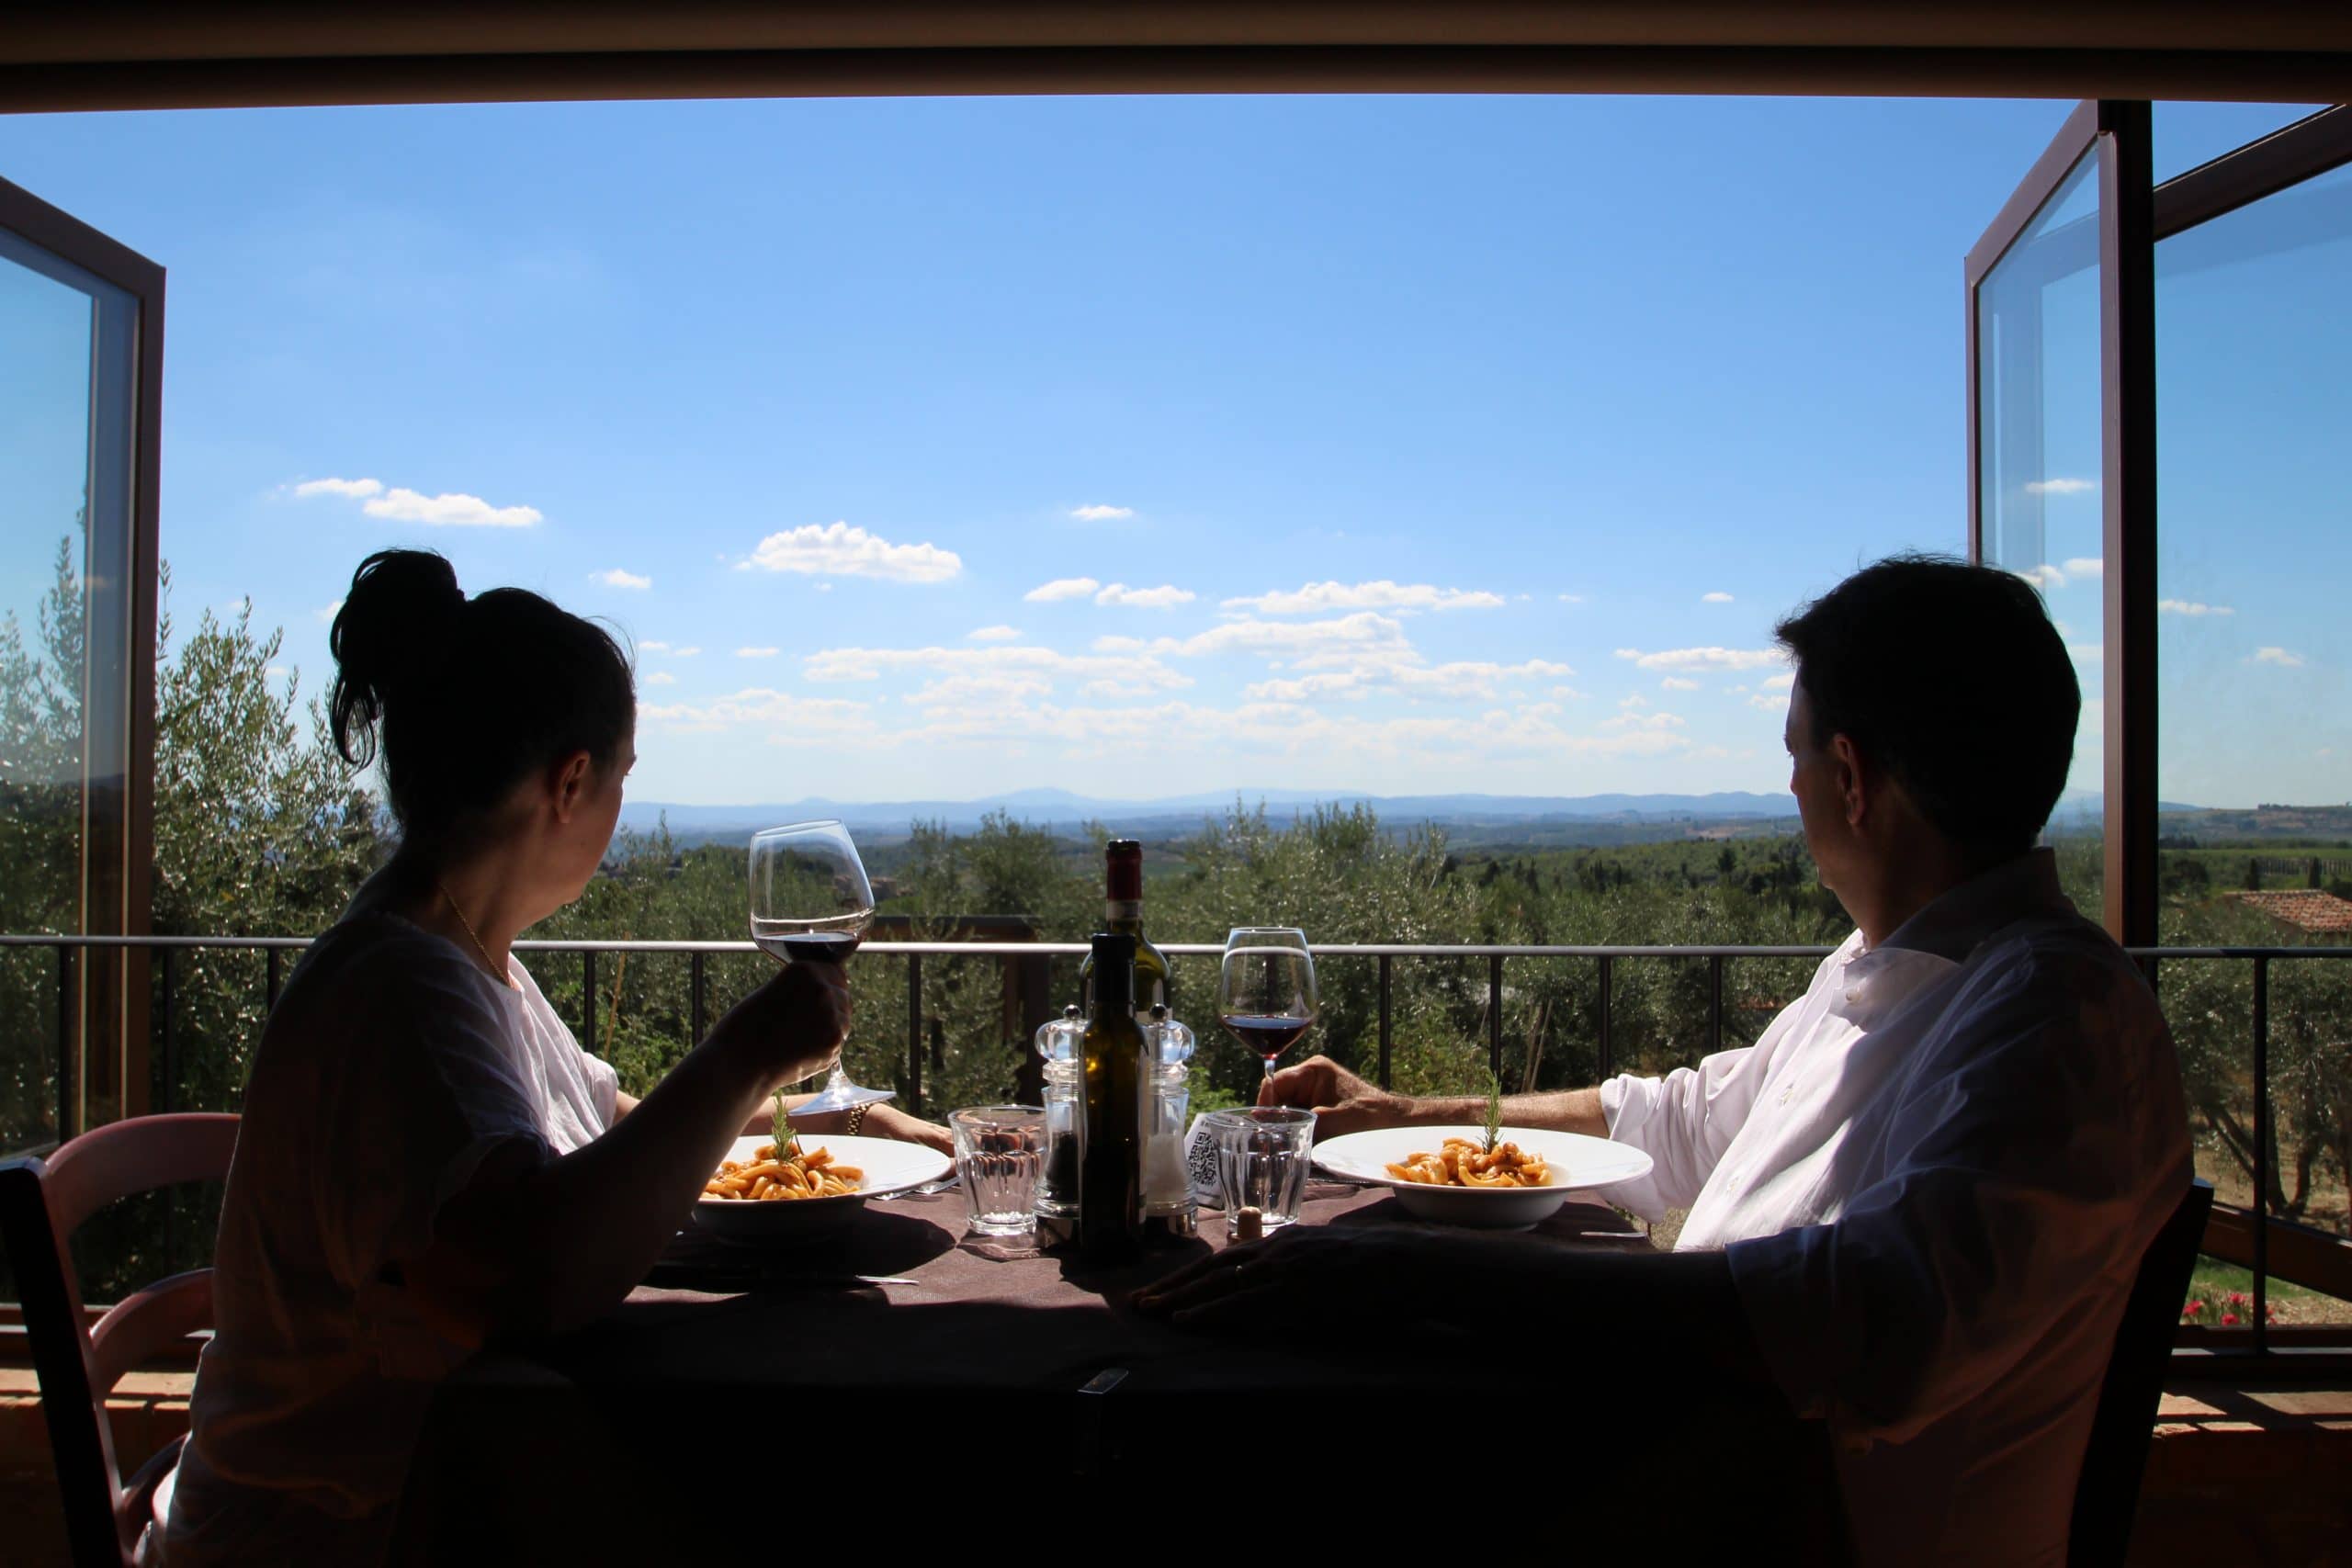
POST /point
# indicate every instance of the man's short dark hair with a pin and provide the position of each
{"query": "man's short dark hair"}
(1956, 683)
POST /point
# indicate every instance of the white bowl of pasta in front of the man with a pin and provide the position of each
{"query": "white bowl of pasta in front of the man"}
(1445, 1174)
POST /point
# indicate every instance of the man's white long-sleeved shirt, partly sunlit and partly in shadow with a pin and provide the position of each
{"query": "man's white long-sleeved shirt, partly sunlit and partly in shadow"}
(1935, 1179)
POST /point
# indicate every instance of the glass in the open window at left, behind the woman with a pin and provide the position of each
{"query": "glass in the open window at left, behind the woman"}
(65, 492)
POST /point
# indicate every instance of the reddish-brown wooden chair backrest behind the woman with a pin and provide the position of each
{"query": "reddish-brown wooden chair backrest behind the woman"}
(41, 1205)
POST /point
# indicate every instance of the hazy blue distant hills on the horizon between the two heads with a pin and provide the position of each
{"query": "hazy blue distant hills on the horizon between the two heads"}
(1542, 817)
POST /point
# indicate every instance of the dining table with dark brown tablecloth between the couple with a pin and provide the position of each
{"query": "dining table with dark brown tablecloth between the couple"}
(902, 1369)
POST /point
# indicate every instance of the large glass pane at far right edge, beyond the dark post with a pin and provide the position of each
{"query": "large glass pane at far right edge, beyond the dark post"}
(2254, 742)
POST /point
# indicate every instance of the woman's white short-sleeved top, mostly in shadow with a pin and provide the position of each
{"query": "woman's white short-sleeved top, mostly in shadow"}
(387, 1073)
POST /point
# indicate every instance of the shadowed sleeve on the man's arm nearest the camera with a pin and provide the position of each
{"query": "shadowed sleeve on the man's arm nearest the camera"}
(2045, 1160)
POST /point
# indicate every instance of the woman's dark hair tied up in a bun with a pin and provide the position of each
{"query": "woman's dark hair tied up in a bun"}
(467, 697)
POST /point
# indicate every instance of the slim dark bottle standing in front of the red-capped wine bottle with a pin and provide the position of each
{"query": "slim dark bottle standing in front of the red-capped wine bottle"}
(1111, 1111)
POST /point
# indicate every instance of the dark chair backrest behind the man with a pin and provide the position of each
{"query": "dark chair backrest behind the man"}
(2109, 1492)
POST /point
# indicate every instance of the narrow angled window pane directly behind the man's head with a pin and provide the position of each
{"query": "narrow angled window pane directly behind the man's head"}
(2040, 464)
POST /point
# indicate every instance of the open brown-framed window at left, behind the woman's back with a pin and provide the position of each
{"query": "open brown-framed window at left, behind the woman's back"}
(81, 391)
